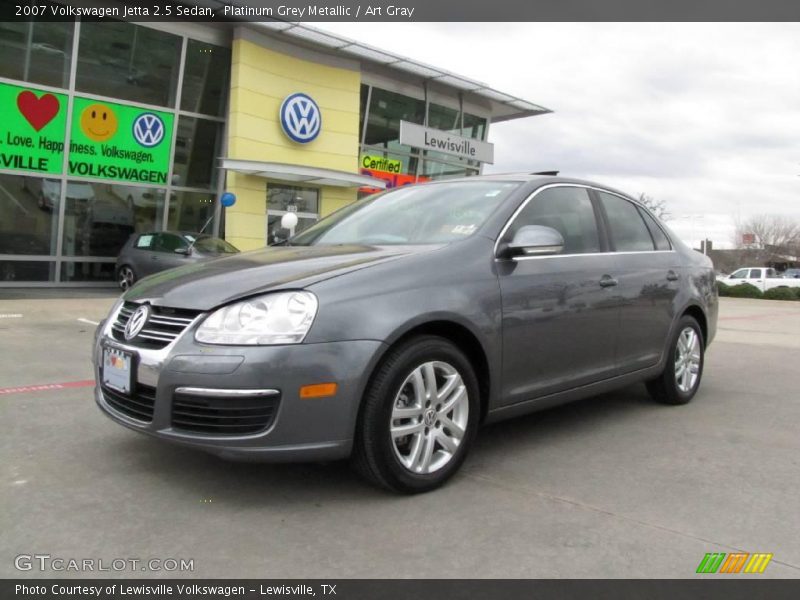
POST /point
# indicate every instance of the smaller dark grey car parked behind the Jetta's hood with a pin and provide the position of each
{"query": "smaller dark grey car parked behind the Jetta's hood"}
(154, 251)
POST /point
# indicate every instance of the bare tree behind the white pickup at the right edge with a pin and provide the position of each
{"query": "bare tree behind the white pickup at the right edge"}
(771, 237)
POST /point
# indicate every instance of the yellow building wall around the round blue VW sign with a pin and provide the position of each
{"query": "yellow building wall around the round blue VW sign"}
(260, 79)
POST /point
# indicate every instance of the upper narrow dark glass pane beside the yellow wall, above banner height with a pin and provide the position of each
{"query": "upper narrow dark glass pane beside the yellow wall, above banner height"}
(205, 78)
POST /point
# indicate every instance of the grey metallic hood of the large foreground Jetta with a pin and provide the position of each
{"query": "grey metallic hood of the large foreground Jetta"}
(210, 283)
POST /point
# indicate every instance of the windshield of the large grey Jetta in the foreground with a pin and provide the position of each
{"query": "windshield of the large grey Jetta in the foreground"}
(425, 214)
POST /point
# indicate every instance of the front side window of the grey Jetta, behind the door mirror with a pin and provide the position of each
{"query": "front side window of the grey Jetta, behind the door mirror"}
(567, 210)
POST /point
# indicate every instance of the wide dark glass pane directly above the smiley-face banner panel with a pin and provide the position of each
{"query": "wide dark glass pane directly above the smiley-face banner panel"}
(127, 61)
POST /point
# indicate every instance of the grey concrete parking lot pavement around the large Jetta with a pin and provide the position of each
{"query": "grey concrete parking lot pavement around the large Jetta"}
(613, 486)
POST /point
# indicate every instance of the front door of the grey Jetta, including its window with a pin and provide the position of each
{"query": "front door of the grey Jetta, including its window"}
(560, 316)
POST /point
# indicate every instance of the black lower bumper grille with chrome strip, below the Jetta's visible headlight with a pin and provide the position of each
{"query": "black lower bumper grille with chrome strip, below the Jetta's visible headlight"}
(223, 416)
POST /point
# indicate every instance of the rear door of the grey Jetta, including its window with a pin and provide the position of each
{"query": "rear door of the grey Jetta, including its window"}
(649, 274)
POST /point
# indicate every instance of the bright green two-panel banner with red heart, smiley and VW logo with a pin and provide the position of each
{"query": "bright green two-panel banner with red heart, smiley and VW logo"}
(108, 140)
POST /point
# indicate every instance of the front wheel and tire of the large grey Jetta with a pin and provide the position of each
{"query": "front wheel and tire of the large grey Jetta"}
(440, 430)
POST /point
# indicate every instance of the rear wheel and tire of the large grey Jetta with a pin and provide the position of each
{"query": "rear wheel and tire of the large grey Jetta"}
(680, 380)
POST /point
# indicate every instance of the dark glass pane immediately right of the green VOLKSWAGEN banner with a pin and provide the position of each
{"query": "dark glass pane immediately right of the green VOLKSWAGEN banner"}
(196, 152)
